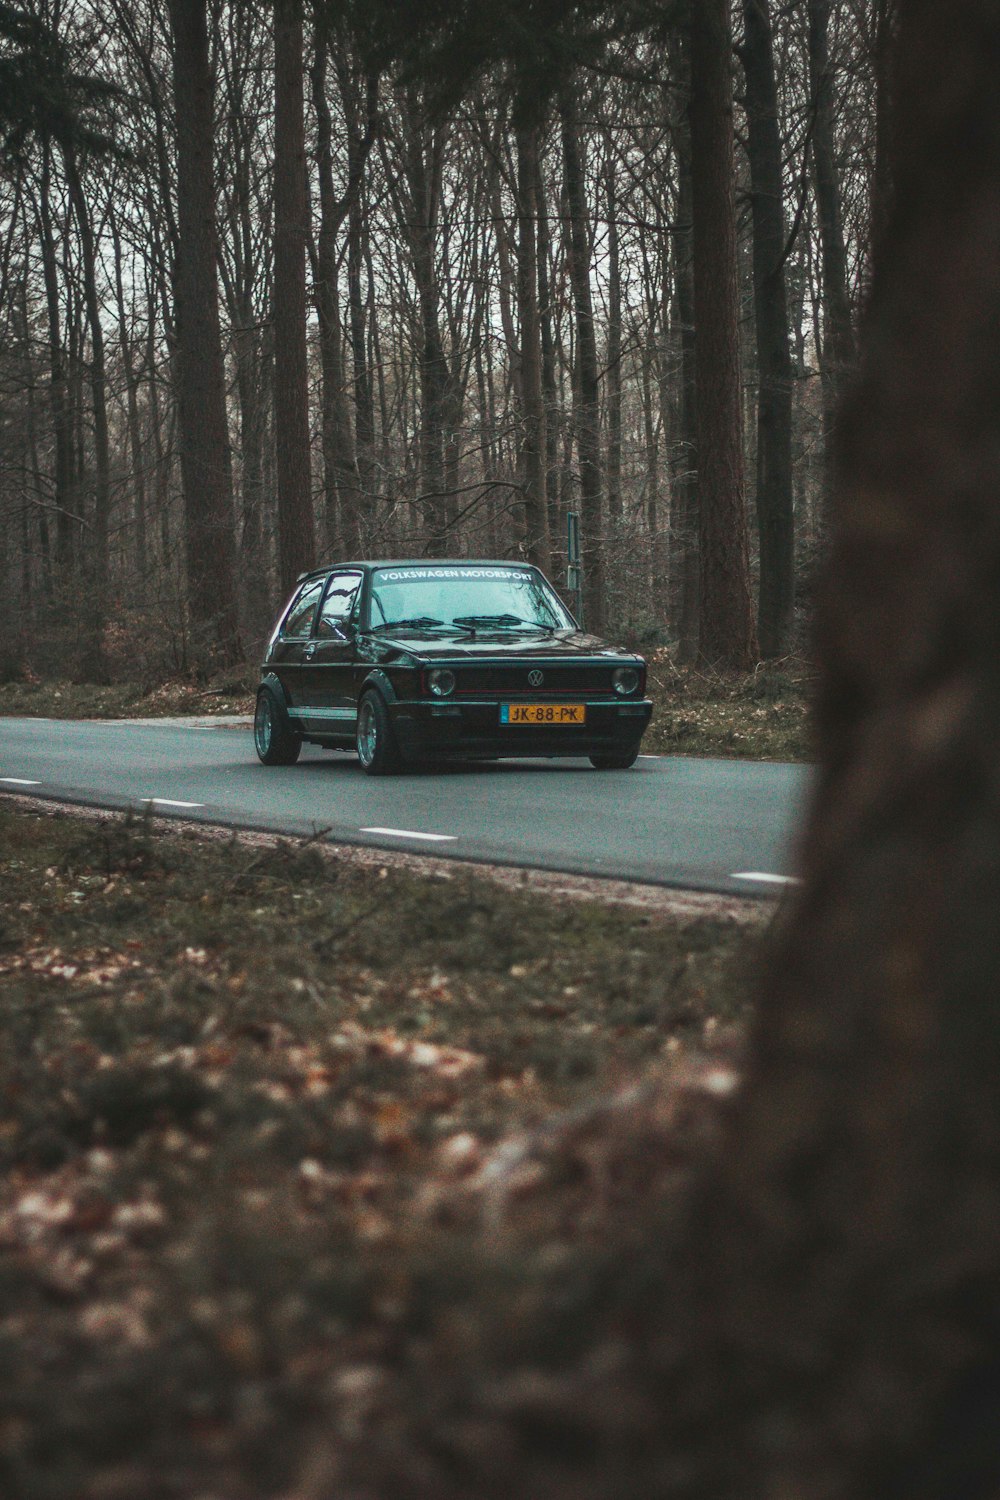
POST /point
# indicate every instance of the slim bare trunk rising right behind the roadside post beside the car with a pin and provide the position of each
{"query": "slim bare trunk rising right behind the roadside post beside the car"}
(587, 388)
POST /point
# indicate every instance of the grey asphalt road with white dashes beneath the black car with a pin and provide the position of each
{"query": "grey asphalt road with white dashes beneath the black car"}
(717, 826)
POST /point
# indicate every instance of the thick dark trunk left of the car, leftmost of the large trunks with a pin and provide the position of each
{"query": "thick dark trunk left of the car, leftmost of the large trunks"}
(205, 440)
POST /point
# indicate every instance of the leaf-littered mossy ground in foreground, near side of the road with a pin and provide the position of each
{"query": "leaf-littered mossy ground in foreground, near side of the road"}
(299, 1148)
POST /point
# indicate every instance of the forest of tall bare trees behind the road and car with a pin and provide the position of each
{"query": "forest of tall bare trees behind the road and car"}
(295, 283)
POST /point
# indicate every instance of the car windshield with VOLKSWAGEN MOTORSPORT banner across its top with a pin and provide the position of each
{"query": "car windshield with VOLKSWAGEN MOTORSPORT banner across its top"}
(467, 599)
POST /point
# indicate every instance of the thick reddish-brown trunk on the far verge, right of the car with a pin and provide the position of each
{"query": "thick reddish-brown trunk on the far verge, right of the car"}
(728, 635)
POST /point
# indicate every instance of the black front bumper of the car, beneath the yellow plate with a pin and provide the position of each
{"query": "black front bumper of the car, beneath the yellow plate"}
(473, 728)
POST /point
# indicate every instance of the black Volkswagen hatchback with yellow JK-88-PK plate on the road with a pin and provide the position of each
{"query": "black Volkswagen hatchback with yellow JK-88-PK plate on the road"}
(409, 661)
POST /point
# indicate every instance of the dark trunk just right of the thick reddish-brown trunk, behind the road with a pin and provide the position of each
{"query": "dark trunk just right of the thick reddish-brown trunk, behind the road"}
(771, 316)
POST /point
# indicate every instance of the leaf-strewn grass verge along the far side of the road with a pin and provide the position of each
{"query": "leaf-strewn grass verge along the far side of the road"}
(762, 715)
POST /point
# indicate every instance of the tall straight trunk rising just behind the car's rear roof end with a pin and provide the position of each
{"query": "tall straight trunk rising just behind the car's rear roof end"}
(296, 524)
